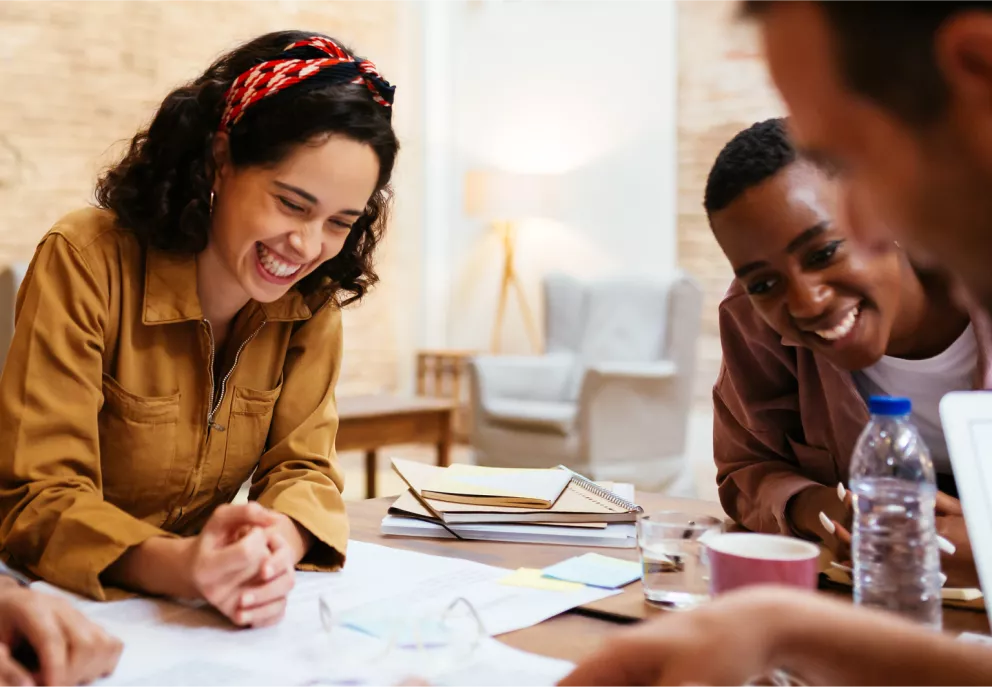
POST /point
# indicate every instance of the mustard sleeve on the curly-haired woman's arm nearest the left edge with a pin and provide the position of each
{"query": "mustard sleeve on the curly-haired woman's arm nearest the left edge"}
(53, 519)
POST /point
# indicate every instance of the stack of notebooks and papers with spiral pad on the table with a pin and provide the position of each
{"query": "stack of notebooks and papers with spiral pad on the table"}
(554, 506)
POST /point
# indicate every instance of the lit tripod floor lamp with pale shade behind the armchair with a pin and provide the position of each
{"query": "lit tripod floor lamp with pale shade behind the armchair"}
(503, 198)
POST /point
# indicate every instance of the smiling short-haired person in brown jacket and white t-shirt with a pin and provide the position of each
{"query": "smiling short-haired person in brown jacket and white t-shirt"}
(813, 324)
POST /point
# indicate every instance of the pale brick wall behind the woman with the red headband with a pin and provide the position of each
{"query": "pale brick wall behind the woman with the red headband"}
(78, 77)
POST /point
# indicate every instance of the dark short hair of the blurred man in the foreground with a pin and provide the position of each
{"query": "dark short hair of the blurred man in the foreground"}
(885, 49)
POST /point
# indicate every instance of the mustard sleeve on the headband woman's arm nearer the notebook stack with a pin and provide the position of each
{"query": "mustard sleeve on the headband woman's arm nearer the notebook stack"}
(298, 475)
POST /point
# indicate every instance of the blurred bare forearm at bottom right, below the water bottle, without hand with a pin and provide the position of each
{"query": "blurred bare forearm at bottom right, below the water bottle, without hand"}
(859, 648)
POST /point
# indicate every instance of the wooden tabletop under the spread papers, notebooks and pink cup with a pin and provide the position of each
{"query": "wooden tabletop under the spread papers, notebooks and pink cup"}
(573, 636)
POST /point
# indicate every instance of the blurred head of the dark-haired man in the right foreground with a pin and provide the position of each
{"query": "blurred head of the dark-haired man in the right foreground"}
(896, 97)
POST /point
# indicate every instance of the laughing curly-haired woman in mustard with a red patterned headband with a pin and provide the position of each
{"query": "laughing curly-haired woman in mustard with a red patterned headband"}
(186, 335)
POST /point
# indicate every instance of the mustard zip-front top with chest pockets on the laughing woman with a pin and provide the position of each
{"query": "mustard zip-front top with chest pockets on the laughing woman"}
(110, 429)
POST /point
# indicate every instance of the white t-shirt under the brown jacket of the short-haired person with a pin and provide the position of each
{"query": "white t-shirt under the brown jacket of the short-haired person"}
(925, 382)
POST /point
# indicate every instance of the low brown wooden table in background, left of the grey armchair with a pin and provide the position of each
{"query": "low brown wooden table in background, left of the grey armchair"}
(368, 423)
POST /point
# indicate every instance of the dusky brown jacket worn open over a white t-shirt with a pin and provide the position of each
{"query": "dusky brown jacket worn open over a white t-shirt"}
(785, 418)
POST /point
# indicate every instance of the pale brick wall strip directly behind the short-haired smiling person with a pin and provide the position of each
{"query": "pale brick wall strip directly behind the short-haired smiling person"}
(723, 88)
